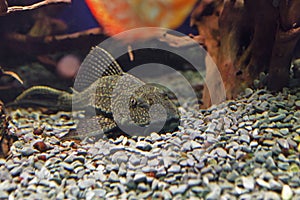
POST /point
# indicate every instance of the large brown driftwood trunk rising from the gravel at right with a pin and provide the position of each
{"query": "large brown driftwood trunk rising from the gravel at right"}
(245, 38)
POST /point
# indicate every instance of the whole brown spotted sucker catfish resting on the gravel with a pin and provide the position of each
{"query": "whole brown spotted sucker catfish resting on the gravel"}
(112, 100)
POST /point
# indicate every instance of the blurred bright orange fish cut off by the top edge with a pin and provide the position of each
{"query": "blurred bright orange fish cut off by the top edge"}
(120, 15)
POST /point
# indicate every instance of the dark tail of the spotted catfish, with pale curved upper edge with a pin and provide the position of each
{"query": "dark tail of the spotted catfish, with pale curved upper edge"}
(44, 96)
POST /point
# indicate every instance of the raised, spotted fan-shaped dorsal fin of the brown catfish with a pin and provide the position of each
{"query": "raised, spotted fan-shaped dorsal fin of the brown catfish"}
(98, 63)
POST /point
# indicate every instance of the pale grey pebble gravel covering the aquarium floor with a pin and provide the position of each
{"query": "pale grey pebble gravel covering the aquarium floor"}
(243, 149)
